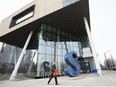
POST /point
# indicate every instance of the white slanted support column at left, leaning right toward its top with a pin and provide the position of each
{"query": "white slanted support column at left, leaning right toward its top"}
(14, 73)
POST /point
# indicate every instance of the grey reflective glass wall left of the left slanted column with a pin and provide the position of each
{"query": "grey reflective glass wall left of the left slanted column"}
(8, 59)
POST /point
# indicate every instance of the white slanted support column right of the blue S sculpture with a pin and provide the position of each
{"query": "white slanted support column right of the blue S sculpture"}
(92, 46)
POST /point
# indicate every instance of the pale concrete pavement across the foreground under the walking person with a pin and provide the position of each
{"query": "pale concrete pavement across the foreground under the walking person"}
(108, 79)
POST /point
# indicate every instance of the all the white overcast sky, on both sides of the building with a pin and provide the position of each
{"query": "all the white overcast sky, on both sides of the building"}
(102, 16)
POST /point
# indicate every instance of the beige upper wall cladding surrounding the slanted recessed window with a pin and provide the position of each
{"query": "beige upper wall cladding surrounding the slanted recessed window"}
(42, 8)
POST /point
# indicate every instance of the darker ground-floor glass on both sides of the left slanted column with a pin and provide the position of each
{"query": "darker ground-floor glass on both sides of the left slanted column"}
(9, 58)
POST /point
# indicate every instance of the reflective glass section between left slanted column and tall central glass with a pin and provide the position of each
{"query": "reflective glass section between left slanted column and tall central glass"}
(29, 62)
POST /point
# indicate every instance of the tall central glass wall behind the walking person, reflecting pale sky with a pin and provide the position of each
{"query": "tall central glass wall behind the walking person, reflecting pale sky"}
(52, 48)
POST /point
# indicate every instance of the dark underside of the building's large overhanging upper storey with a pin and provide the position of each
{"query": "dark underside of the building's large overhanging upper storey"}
(68, 19)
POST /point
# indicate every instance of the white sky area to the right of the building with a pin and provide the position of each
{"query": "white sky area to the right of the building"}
(103, 25)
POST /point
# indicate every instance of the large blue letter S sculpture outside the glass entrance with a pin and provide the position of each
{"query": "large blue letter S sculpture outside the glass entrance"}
(73, 69)
